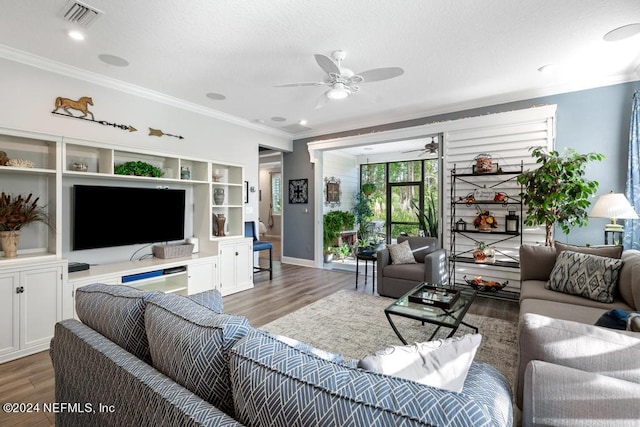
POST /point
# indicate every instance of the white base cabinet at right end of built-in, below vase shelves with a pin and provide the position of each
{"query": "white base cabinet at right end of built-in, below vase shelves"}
(235, 260)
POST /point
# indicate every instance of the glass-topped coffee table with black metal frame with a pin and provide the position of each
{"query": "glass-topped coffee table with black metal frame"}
(440, 317)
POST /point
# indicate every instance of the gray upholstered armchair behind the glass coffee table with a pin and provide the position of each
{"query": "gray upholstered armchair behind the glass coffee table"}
(395, 280)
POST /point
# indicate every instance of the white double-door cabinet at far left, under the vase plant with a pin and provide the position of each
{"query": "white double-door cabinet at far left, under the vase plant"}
(31, 304)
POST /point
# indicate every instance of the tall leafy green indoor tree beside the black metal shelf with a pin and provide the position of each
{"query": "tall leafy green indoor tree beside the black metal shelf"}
(557, 191)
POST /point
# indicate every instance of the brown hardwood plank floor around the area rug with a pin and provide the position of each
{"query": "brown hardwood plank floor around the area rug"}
(30, 379)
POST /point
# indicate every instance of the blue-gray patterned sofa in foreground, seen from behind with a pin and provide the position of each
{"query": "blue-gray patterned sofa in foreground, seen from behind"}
(148, 358)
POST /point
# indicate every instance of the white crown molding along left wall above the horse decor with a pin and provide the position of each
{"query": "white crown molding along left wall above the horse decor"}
(26, 58)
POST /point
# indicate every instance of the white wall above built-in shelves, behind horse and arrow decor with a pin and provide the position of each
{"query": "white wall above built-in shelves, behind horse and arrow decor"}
(29, 94)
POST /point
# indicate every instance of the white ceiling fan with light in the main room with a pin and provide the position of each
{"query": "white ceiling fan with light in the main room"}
(343, 82)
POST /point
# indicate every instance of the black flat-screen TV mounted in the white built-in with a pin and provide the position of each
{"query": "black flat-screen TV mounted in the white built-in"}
(116, 216)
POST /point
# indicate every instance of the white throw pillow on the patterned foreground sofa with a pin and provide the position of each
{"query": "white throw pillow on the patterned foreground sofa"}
(440, 363)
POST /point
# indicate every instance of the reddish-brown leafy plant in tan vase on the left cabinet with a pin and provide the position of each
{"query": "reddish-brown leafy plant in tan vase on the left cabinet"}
(17, 212)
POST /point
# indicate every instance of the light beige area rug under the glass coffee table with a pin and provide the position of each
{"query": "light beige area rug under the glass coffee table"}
(353, 324)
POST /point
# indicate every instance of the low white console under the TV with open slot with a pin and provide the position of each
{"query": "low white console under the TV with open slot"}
(185, 276)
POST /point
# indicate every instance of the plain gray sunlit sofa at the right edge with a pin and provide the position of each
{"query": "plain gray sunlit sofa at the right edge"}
(571, 372)
